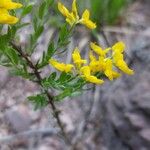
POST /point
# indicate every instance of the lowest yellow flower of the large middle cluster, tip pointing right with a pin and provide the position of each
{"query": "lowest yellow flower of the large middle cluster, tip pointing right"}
(85, 70)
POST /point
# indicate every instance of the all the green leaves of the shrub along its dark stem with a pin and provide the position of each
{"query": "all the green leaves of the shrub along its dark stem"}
(64, 84)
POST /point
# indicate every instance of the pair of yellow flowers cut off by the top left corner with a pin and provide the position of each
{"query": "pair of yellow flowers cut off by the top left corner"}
(5, 6)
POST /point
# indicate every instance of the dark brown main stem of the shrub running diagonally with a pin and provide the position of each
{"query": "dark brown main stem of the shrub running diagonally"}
(49, 96)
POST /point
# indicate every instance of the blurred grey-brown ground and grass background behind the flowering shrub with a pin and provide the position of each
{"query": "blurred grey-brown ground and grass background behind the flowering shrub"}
(114, 116)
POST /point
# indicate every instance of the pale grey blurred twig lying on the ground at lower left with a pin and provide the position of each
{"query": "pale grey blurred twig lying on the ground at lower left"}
(28, 134)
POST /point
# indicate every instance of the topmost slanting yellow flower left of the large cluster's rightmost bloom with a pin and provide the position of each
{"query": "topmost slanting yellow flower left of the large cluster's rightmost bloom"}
(98, 50)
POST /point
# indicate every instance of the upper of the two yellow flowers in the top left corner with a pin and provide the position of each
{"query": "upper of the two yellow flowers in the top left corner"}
(8, 4)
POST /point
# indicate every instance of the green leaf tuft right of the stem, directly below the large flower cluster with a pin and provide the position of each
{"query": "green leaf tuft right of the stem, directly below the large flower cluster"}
(66, 85)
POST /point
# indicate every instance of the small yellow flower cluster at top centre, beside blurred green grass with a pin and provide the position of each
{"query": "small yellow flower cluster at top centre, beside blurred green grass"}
(73, 18)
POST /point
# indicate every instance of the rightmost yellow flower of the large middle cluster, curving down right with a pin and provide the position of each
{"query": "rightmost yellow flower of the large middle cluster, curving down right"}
(118, 59)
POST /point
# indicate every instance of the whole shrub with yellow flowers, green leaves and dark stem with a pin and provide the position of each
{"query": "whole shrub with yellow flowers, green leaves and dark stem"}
(67, 79)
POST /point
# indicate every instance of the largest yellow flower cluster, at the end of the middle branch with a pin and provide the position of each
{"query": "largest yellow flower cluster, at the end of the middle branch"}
(106, 62)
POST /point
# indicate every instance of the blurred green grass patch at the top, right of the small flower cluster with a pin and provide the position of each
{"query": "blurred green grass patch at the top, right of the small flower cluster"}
(105, 12)
